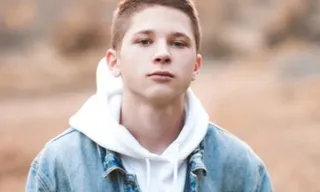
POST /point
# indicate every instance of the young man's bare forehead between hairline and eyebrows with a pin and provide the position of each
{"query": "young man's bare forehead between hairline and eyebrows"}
(161, 20)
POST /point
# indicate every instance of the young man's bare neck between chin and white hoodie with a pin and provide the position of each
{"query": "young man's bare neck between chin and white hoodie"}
(154, 126)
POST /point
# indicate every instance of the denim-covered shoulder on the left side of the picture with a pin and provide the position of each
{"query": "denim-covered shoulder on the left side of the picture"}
(64, 157)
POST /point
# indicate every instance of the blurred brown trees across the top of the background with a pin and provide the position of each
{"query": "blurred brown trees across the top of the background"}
(230, 27)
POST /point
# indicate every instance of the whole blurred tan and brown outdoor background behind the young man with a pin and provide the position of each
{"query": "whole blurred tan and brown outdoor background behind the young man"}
(261, 78)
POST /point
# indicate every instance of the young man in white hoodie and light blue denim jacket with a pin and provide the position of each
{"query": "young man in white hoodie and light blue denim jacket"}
(144, 129)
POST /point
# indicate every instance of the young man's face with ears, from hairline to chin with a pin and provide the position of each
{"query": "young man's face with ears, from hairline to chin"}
(158, 58)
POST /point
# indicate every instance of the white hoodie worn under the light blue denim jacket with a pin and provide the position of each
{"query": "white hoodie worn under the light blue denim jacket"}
(99, 118)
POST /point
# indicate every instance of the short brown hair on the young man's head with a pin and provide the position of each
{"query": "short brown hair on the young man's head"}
(126, 8)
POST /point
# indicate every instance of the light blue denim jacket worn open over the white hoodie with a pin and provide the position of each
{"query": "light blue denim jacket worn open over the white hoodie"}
(73, 162)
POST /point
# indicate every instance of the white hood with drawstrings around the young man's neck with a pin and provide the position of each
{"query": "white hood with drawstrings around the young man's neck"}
(99, 119)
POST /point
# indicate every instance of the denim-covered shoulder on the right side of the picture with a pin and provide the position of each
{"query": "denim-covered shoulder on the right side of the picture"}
(233, 163)
